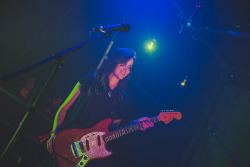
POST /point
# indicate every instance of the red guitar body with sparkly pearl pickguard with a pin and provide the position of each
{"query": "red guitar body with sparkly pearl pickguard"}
(87, 144)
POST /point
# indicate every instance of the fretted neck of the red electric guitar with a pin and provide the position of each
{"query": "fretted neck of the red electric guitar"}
(126, 130)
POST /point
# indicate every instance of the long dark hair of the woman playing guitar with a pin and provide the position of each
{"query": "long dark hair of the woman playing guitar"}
(101, 78)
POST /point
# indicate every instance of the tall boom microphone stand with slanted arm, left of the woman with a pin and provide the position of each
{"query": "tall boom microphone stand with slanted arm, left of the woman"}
(59, 61)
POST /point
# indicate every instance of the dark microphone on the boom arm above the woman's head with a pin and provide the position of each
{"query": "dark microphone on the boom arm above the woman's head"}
(117, 27)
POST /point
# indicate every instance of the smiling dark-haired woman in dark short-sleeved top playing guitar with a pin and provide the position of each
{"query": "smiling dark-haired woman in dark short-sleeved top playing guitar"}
(99, 96)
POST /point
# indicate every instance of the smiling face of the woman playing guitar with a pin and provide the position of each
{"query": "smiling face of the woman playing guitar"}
(122, 70)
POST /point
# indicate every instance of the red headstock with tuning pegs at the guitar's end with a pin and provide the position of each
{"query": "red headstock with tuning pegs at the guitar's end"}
(169, 116)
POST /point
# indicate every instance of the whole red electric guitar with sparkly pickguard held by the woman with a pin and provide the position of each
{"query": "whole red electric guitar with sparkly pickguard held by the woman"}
(75, 147)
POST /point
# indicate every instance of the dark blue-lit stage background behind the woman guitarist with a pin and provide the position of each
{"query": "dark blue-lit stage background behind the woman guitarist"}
(211, 53)
